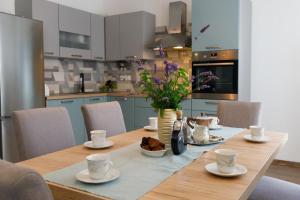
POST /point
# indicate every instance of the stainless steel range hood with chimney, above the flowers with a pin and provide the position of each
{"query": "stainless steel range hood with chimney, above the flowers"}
(175, 36)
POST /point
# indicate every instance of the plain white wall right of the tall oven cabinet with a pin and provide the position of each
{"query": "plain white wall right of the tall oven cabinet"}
(276, 68)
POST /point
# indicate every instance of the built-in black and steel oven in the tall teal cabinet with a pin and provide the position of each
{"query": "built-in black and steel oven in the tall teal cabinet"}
(215, 75)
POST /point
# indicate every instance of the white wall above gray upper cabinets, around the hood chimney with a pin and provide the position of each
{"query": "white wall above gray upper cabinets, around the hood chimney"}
(110, 7)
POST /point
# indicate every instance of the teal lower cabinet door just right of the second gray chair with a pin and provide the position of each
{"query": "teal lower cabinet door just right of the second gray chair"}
(127, 105)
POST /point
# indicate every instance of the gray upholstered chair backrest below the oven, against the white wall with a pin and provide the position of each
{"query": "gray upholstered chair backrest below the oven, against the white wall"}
(239, 114)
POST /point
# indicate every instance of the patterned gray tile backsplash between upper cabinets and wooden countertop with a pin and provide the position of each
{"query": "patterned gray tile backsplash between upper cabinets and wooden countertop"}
(62, 75)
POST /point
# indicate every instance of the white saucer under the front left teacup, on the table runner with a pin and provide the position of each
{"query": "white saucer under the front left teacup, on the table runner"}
(111, 175)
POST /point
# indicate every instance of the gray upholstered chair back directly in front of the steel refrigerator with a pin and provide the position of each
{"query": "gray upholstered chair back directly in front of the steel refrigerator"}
(43, 130)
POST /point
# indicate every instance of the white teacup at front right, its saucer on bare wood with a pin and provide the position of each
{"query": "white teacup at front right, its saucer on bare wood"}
(226, 160)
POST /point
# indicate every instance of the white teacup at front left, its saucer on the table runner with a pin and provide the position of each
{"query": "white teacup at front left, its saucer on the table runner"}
(98, 165)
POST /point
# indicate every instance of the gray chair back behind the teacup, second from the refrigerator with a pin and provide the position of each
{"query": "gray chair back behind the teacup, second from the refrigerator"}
(104, 116)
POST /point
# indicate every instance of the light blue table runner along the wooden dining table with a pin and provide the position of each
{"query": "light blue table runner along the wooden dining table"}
(139, 173)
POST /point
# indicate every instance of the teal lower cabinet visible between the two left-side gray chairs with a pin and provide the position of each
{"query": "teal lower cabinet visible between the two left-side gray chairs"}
(73, 107)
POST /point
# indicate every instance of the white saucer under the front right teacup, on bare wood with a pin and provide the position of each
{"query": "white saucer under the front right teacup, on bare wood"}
(239, 170)
